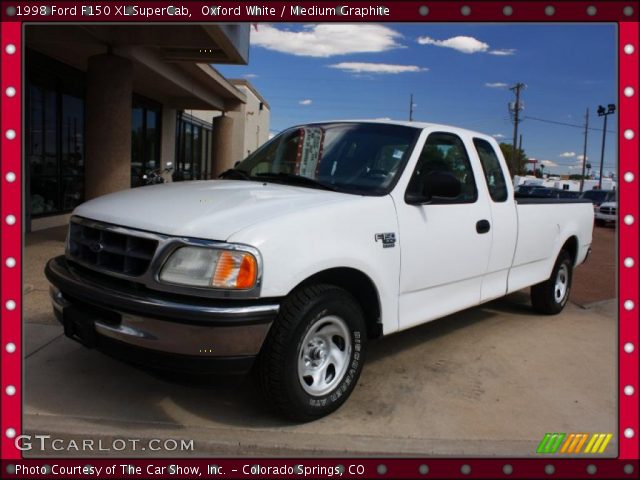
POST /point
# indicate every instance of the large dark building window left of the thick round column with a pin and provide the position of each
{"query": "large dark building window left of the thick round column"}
(54, 137)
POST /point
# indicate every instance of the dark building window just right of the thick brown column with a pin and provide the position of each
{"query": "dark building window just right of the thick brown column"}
(145, 139)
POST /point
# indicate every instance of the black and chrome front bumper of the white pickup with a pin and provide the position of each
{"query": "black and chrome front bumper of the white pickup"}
(173, 332)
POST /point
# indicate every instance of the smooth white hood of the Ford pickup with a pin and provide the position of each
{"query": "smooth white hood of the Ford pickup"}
(213, 209)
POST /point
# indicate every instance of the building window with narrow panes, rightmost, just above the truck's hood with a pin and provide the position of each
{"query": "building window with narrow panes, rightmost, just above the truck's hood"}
(193, 149)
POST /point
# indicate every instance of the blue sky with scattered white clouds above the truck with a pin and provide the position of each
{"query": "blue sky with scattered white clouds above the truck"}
(459, 74)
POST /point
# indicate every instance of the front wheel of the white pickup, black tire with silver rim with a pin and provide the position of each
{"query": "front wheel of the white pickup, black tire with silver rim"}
(279, 363)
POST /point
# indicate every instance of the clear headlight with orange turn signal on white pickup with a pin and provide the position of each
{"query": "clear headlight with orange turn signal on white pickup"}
(210, 267)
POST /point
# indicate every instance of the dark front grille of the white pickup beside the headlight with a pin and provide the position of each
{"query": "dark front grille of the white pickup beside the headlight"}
(96, 245)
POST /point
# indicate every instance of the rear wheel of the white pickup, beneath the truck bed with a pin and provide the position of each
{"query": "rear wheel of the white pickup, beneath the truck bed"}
(547, 297)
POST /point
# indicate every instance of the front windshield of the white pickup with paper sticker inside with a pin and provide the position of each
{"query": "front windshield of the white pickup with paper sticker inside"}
(358, 158)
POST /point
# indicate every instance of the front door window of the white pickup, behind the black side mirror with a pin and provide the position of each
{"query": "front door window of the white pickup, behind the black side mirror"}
(444, 154)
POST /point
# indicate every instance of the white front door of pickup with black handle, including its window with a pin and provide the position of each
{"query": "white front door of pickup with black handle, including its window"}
(445, 243)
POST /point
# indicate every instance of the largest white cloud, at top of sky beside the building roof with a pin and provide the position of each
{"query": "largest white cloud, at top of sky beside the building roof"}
(327, 40)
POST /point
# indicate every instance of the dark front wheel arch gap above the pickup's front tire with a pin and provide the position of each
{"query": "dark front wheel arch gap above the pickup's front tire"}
(358, 284)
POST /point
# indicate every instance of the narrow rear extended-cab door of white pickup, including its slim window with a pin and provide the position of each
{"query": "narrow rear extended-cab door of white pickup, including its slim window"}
(504, 221)
